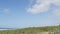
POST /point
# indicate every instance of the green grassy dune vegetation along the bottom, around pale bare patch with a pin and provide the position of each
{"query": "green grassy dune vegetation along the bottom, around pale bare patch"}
(33, 30)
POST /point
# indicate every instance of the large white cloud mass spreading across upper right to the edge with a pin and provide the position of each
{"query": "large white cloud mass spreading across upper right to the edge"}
(43, 6)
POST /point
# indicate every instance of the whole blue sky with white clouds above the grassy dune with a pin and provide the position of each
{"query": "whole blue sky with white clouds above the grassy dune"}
(29, 13)
